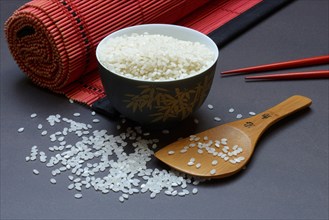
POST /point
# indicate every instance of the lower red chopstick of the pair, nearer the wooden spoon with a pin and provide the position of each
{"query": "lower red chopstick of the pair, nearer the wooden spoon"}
(320, 74)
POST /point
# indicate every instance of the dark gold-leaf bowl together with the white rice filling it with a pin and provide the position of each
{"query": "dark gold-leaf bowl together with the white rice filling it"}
(157, 73)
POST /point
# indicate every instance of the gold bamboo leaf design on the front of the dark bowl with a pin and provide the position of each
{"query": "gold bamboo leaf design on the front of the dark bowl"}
(164, 105)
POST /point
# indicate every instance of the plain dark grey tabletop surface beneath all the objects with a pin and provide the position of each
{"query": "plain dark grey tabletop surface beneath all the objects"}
(286, 179)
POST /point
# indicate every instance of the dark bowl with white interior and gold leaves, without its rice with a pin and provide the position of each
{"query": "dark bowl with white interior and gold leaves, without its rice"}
(158, 102)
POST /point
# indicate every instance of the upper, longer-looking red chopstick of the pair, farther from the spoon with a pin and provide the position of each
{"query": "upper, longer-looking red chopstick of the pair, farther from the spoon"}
(318, 60)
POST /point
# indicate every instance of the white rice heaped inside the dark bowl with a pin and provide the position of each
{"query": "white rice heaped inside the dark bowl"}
(154, 57)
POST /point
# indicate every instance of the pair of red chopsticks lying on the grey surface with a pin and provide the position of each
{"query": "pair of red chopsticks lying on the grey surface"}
(318, 60)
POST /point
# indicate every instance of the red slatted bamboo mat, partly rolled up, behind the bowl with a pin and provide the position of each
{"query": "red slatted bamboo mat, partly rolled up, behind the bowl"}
(54, 41)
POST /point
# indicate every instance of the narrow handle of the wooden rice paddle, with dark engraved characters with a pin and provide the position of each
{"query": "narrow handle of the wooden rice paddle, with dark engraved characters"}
(255, 126)
